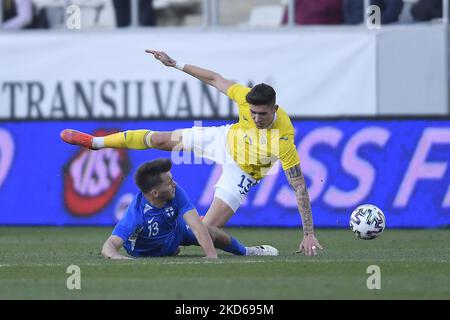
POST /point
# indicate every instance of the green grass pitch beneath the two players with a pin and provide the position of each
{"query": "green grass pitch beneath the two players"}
(414, 264)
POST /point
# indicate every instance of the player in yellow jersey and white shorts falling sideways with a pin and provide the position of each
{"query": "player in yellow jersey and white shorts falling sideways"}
(246, 149)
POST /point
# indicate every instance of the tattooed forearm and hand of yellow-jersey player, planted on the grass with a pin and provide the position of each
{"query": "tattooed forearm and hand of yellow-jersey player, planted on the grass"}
(296, 180)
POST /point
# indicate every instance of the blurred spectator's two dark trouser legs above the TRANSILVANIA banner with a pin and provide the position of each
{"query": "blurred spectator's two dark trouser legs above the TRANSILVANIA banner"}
(146, 16)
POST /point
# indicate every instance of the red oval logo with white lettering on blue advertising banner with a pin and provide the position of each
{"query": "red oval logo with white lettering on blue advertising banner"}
(92, 178)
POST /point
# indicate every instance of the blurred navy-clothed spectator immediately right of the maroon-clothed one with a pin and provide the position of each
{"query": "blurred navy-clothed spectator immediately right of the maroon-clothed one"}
(390, 10)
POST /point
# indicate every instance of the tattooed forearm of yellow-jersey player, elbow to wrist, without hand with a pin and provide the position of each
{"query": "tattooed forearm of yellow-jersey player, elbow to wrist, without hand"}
(298, 184)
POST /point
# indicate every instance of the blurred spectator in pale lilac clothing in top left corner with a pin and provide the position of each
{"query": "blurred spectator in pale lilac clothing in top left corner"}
(17, 14)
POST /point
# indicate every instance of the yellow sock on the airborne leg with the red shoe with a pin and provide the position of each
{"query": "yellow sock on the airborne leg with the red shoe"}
(130, 139)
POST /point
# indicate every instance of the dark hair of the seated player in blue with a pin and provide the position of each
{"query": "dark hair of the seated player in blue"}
(148, 175)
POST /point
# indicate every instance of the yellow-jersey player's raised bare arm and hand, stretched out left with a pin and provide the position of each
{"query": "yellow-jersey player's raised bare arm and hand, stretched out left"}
(207, 76)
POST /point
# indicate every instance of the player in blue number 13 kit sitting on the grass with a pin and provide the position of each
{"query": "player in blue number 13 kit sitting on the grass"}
(161, 218)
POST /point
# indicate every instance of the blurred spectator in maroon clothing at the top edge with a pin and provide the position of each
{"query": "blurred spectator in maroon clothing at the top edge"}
(316, 12)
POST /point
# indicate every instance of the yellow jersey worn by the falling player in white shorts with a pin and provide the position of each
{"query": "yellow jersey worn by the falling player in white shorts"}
(256, 150)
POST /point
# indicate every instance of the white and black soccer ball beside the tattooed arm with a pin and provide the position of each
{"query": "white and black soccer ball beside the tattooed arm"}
(367, 221)
